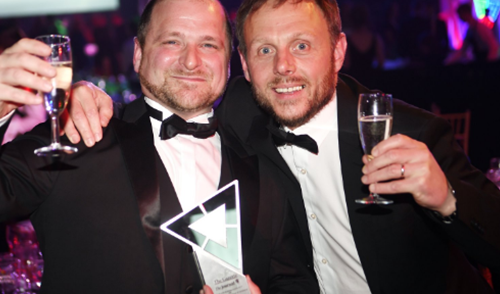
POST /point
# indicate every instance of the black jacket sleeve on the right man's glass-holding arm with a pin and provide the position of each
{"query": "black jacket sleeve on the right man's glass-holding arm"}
(476, 229)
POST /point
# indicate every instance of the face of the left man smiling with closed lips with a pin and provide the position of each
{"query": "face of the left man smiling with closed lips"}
(183, 63)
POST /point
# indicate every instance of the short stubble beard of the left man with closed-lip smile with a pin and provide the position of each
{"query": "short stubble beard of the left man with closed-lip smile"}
(180, 96)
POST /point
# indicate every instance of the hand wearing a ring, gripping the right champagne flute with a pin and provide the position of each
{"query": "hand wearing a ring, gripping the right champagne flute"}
(408, 167)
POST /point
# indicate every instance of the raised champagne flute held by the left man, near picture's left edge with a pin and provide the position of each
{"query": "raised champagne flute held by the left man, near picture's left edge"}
(56, 100)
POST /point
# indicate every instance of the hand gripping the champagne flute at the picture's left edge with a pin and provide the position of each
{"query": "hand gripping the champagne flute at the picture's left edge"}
(23, 72)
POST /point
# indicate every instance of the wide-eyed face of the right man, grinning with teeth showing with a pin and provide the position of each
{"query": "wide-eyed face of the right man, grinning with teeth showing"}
(290, 60)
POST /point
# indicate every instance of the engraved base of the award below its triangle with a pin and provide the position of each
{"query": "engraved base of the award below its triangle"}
(221, 279)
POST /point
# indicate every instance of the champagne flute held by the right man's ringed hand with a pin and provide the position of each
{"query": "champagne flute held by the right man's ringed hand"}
(375, 125)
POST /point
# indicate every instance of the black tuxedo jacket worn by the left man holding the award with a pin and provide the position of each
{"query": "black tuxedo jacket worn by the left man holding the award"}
(96, 214)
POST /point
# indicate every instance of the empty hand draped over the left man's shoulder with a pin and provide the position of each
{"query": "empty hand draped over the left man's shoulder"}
(89, 109)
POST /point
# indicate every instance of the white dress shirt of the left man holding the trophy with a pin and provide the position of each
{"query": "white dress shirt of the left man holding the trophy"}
(194, 165)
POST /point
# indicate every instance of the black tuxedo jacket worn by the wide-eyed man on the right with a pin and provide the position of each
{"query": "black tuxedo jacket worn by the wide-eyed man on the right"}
(403, 247)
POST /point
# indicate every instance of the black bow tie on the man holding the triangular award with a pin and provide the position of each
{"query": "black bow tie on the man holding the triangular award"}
(174, 125)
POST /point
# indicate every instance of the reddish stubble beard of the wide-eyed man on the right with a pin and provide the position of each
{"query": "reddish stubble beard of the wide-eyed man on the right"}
(318, 100)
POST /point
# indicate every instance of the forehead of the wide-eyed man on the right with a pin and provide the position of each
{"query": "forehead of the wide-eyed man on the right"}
(288, 19)
